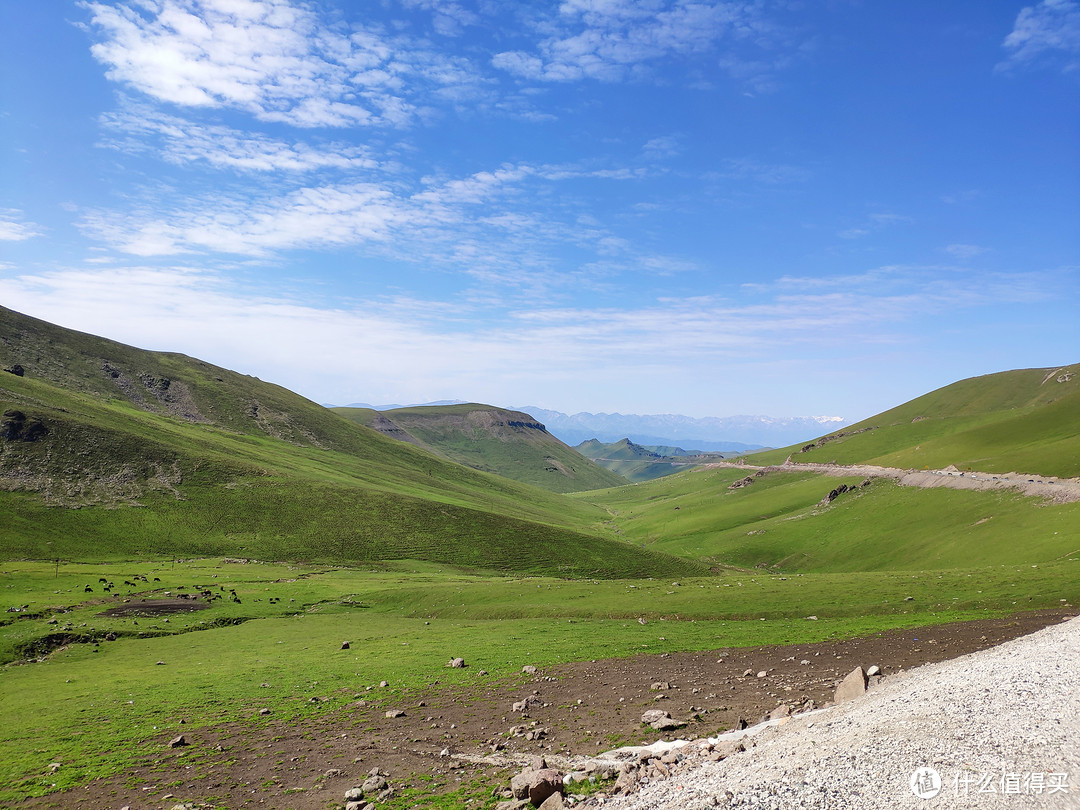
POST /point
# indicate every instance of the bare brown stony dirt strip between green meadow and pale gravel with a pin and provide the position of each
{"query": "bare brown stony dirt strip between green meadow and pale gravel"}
(584, 709)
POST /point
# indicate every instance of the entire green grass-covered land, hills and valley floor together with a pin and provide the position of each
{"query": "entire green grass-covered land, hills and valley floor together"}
(279, 529)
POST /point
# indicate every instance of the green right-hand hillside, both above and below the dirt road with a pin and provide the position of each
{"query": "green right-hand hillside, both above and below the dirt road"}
(799, 521)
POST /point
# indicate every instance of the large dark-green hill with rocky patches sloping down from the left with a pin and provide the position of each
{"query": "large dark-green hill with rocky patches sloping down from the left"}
(116, 470)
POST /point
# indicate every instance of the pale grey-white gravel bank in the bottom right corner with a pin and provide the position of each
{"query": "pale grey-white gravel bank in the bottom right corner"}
(1001, 728)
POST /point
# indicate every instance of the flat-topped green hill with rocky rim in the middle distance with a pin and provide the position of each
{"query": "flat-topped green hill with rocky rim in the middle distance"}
(507, 443)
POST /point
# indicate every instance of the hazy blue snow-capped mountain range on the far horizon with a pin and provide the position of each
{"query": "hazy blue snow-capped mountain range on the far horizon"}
(709, 435)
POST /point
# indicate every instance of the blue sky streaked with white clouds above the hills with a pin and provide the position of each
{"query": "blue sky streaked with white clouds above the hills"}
(684, 207)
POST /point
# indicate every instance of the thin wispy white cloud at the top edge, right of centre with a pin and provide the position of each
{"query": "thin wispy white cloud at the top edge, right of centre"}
(614, 40)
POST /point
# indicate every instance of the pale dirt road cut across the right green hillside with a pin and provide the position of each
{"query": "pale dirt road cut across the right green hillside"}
(1059, 491)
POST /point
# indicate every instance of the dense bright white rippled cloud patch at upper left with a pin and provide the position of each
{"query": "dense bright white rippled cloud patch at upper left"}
(275, 60)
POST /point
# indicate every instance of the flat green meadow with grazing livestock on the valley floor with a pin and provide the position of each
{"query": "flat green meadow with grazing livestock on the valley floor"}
(98, 706)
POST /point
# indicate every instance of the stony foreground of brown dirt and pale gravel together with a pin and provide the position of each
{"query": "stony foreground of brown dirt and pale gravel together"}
(1007, 719)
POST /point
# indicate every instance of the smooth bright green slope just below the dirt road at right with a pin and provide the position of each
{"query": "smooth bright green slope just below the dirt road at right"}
(779, 523)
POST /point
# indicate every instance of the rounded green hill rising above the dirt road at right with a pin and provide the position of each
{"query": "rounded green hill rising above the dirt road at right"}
(1025, 422)
